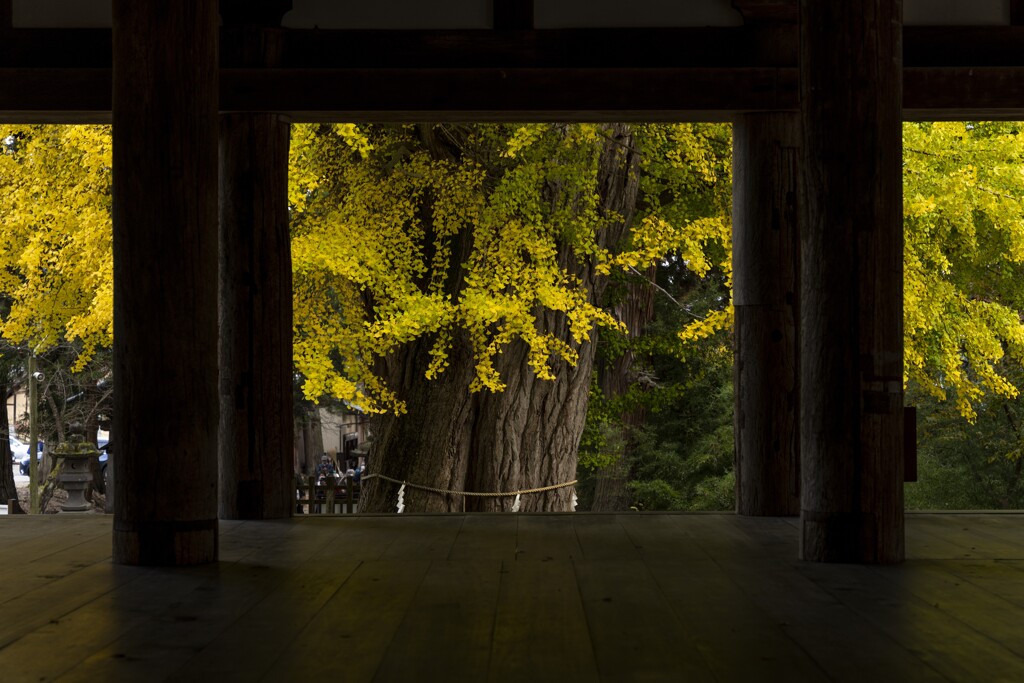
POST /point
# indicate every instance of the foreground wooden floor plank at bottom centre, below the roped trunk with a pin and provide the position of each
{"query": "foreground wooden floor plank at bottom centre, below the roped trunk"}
(541, 631)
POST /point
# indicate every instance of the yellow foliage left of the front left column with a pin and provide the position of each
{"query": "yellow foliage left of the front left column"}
(56, 237)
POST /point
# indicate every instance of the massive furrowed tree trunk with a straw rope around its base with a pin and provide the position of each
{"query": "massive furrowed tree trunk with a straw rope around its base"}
(524, 438)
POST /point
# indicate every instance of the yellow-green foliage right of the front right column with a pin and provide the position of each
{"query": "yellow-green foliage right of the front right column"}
(964, 258)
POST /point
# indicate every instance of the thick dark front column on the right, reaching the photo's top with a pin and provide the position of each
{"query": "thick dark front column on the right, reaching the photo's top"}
(851, 293)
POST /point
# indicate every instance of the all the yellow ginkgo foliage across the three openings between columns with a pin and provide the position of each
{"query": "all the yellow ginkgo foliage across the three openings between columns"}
(383, 225)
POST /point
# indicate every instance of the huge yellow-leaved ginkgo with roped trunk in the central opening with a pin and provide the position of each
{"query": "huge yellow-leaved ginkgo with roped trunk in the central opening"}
(478, 262)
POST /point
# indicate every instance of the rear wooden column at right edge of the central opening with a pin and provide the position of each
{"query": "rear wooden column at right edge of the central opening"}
(765, 259)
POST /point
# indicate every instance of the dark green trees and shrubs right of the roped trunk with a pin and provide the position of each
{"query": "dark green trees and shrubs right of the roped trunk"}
(682, 457)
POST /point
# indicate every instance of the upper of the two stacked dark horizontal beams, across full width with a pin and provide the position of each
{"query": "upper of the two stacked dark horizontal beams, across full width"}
(770, 46)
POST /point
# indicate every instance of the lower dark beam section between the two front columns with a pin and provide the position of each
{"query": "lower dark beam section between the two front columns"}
(657, 93)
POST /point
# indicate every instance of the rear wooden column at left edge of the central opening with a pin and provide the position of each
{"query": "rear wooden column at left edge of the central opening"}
(257, 416)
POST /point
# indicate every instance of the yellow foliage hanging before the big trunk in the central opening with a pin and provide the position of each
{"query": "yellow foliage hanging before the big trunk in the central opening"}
(487, 236)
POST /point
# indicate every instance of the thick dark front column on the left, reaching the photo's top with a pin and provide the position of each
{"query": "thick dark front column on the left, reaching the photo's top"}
(165, 278)
